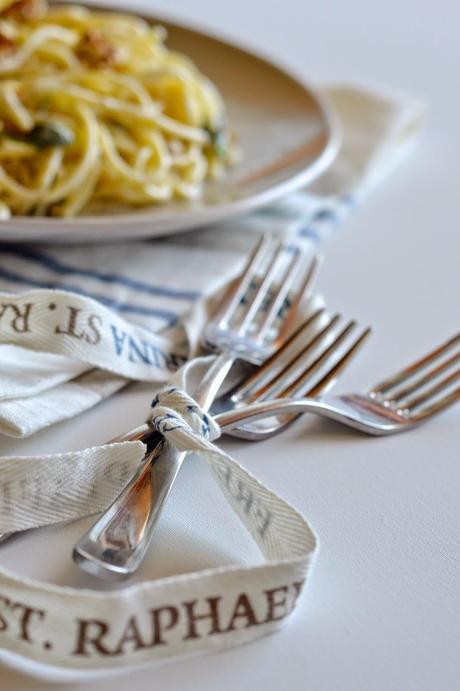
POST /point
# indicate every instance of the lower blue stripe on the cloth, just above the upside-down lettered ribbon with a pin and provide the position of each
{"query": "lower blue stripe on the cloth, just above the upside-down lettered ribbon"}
(167, 315)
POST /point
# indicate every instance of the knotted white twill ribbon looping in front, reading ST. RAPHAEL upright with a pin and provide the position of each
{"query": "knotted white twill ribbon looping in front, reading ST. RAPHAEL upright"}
(155, 620)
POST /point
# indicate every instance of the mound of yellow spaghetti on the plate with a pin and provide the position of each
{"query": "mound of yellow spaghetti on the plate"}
(95, 110)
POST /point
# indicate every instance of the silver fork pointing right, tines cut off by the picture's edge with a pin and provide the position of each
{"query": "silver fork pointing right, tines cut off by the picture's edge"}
(404, 400)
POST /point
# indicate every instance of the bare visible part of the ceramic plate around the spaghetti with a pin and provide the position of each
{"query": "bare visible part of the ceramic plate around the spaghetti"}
(286, 130)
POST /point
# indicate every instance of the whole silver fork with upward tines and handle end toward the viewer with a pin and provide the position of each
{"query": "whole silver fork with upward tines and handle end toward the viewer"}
(246, 325)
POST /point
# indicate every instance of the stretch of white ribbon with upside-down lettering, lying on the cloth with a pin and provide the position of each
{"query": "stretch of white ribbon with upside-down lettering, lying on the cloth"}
(82, 329)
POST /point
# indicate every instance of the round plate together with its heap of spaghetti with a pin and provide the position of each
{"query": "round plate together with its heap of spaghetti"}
(115, 126)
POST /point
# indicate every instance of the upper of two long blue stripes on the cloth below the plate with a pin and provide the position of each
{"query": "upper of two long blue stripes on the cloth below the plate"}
(63, 269)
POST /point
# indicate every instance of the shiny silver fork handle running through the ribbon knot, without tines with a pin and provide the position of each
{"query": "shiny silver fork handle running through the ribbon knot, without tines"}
(116, 544)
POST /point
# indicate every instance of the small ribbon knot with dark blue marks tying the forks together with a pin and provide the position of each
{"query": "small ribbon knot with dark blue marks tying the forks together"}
(174, 411)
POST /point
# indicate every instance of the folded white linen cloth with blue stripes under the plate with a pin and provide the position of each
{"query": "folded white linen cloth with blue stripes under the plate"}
(164, 287)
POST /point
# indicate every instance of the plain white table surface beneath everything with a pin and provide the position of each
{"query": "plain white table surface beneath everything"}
(382, 609)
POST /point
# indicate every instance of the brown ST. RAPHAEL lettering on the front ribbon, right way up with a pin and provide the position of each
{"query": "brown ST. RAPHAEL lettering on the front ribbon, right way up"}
(155, 627)
